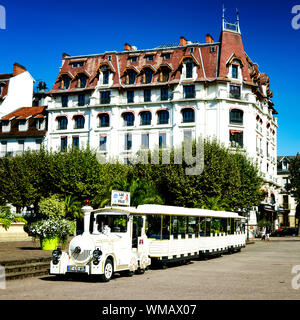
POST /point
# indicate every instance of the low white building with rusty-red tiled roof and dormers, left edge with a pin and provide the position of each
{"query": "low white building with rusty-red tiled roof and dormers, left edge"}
(23, 129)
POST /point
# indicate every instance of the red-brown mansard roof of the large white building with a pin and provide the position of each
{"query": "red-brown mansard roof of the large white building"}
(212, 61)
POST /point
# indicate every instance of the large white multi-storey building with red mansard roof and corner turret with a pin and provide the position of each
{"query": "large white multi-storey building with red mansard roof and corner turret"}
(121, 102)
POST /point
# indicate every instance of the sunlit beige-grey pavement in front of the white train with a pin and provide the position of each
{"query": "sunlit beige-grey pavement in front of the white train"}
(261, 271)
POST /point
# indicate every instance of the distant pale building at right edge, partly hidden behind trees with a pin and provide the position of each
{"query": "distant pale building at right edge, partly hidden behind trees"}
(287, 203)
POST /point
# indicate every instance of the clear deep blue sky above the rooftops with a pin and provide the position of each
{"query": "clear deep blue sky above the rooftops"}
(38, 32)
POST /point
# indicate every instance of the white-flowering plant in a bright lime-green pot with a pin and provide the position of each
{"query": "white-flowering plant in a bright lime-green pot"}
(50, 232)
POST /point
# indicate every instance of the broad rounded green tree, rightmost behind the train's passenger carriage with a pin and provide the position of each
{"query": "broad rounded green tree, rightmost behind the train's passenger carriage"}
(229, 179)
